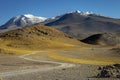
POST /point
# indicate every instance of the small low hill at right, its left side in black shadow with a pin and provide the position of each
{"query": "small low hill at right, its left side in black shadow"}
(103, 39)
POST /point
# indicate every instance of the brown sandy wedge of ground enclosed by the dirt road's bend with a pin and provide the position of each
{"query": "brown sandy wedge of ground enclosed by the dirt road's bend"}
(12, 63)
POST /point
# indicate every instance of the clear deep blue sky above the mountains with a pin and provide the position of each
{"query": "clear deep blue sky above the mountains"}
(51, 8)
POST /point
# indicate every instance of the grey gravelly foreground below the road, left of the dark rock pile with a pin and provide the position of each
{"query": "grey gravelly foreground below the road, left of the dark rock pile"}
(79, 72)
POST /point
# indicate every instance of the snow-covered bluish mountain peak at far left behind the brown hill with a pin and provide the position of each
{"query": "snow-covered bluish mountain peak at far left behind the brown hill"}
(22, 20)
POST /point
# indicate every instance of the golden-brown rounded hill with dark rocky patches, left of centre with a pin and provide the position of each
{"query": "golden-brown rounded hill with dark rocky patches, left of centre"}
(36, 37)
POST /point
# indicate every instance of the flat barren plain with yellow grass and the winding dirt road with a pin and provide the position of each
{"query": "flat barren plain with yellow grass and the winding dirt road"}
(43, 65)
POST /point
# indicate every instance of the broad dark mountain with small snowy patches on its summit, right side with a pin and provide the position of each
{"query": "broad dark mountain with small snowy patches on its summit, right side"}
(82, 24)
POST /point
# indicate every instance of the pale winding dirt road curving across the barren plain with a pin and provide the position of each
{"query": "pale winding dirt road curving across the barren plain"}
(19, 72)
